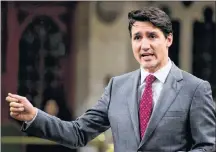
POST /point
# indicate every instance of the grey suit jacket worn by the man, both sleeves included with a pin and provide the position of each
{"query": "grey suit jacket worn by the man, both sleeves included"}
(184, 118)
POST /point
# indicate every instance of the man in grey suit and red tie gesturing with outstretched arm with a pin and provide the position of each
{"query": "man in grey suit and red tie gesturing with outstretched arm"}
(156, 108)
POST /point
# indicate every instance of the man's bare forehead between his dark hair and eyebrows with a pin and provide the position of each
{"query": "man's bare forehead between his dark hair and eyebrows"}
(144, 27)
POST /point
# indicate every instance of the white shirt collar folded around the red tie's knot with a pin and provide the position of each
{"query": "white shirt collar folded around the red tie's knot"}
(161, 74)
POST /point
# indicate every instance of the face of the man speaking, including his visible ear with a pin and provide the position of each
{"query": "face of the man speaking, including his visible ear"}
(150, 46)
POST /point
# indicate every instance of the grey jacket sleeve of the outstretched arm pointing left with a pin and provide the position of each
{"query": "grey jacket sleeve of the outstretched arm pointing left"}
(76, 133)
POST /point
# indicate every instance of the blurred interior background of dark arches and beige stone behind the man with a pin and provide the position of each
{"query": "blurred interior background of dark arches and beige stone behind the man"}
(61, 55)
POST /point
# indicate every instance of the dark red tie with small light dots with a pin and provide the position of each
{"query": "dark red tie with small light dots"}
(145, 107)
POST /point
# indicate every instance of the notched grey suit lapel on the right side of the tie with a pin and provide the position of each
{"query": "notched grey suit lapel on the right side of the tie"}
(168, 94)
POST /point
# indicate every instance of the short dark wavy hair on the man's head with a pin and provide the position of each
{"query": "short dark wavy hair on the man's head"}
(153, 15)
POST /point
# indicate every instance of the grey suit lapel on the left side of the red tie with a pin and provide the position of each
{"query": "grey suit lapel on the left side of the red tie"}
(132, 97)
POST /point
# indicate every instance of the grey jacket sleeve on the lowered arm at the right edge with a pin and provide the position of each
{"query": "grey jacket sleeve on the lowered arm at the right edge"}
(203, 119)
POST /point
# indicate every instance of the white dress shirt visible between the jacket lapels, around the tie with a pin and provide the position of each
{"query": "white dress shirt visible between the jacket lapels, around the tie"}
(158, 84)
